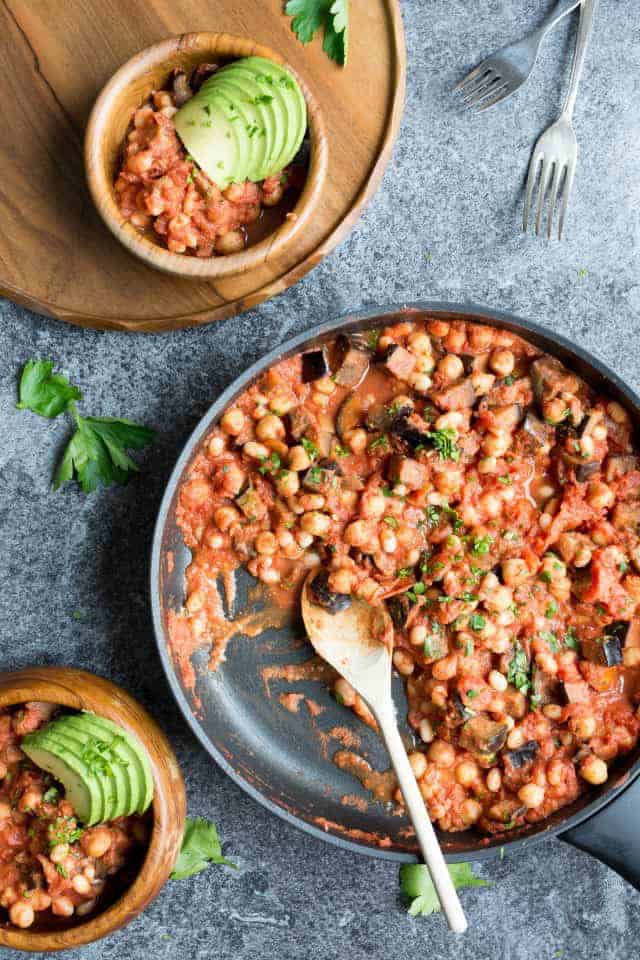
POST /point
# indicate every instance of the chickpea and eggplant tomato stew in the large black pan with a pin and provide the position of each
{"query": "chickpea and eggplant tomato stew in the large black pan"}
(491, 499)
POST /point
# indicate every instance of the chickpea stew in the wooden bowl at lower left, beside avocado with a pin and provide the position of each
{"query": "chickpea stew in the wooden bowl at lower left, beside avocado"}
(52, 868)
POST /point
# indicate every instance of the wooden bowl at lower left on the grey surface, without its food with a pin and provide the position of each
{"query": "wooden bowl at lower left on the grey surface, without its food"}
(84, 691)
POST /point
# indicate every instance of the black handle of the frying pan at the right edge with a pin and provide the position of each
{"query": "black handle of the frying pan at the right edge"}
(612, 834)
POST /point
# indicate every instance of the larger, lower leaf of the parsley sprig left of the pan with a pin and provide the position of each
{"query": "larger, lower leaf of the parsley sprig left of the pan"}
(97, 452)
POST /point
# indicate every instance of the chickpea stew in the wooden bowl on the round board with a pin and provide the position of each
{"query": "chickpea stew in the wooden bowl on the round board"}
(166, 194)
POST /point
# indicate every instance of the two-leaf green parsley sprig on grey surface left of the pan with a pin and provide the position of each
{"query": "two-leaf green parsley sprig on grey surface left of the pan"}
(97, 451)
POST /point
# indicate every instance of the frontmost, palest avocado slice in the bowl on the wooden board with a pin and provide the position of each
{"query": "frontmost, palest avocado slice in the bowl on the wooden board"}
(212, 138)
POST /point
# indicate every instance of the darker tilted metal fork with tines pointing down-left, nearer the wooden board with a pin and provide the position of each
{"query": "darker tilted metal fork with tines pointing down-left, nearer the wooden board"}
(502, 74)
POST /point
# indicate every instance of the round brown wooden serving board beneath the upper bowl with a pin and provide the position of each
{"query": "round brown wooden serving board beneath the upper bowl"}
(57, 257)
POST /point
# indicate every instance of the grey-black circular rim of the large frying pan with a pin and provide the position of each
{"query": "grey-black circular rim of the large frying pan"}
(554, 343)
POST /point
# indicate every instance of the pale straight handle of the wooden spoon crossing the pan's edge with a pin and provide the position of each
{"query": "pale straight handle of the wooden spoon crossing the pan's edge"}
(420, 818)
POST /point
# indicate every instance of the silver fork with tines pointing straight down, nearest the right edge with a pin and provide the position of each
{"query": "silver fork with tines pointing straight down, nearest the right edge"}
(556, 153)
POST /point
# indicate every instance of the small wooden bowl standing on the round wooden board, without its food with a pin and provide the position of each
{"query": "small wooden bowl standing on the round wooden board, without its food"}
(110, 118)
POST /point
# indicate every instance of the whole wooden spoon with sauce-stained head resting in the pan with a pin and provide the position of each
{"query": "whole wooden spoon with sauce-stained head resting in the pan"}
(357, 642)
